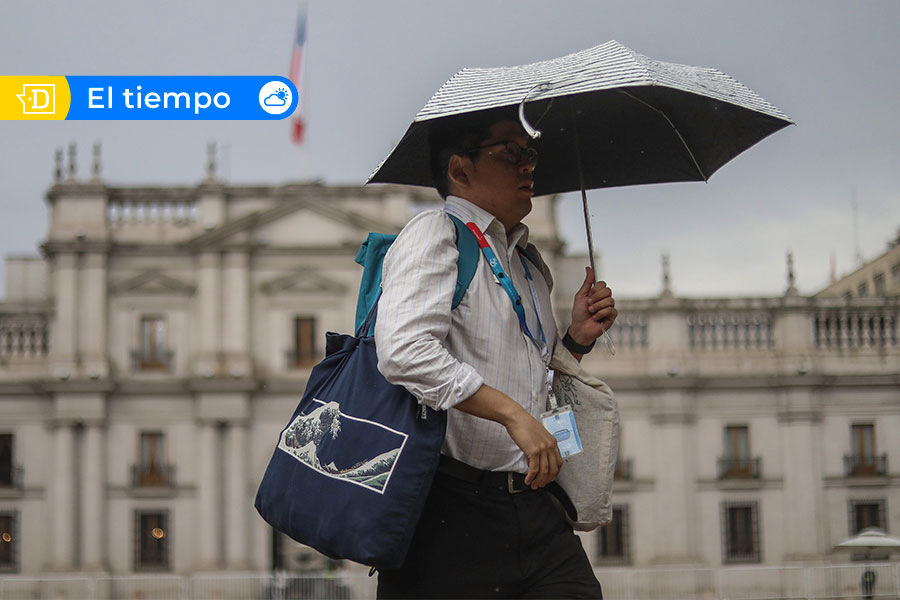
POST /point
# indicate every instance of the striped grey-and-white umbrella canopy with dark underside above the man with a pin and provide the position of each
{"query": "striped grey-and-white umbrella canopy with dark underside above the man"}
(627, 118)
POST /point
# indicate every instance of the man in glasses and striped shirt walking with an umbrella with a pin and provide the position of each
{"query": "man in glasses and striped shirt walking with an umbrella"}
(492, 526)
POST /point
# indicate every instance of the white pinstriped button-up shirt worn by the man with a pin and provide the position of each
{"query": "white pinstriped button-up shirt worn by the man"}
(441, 356)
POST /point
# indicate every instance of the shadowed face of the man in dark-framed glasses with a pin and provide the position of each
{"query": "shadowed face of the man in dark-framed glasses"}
(497, 181)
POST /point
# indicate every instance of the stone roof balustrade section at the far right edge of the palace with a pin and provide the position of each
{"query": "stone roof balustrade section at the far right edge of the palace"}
(860, 327)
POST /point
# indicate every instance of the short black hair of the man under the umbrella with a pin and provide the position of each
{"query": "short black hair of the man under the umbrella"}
(458, 135)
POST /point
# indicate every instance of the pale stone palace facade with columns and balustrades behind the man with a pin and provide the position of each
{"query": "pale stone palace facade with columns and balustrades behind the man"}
(151, 355)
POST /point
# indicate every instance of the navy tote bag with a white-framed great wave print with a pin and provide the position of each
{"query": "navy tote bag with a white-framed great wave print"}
(354, 466)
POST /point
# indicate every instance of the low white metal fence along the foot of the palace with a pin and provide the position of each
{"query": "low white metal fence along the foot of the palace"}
(833, 582)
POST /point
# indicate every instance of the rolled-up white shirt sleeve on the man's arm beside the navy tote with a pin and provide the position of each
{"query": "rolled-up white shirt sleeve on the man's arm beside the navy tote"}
(418, 281)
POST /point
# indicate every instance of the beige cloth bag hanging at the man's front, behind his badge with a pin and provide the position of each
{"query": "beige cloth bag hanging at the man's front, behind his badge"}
(587, 477)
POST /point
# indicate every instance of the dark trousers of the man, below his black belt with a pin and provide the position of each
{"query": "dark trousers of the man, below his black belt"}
(476, 540)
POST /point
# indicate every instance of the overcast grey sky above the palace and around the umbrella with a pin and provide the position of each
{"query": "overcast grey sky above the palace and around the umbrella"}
(834, 67)
